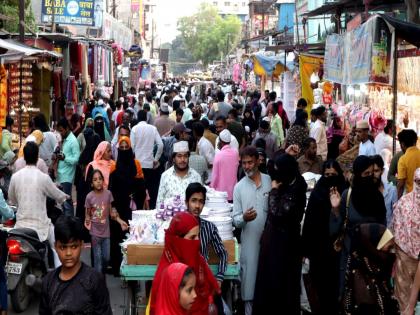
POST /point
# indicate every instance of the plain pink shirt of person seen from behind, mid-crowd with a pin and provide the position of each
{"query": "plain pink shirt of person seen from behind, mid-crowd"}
(225, 168)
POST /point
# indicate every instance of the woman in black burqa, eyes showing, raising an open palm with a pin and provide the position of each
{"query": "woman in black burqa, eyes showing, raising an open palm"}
(318, 244)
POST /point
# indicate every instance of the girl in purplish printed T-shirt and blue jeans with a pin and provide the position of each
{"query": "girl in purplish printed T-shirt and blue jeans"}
(99, 208)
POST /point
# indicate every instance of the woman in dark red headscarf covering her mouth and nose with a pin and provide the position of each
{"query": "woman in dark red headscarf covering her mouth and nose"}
(182, 245)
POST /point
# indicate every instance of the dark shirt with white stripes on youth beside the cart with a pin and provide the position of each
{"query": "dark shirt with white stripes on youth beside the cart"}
(209, 234)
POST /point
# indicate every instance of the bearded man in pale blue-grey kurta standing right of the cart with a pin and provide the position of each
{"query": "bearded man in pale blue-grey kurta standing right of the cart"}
(250, 206)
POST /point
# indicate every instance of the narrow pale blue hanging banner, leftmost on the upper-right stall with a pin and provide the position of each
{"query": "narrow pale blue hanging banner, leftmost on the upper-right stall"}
(333, 62)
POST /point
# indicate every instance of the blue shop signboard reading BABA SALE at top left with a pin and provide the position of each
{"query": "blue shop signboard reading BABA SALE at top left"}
(73, 12)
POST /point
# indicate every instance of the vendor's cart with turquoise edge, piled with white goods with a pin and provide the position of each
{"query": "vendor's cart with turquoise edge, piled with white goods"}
(144, 246)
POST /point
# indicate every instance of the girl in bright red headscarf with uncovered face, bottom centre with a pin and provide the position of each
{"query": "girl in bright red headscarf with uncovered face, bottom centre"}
(176, 293)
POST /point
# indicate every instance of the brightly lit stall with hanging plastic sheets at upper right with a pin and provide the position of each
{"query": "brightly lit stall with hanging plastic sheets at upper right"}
(377, 70)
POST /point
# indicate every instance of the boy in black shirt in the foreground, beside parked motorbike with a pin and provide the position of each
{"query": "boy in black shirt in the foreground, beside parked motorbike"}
(74, 287)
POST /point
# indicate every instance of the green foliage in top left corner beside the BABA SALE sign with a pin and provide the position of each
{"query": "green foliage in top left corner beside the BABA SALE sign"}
(10, 8)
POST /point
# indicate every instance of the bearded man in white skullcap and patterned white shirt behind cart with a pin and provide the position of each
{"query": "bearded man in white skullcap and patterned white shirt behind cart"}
(176, 179)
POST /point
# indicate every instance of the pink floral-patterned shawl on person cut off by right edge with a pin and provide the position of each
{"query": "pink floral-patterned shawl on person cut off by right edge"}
(406, 220)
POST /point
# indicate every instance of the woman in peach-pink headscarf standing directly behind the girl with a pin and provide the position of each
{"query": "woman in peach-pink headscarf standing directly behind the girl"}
(101, 161)
